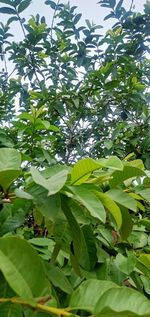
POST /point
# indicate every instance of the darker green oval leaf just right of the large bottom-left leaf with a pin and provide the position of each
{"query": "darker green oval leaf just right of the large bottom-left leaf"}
(58, 278)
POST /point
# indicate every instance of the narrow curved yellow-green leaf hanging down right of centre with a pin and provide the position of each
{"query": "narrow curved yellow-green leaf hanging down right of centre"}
(112, 207)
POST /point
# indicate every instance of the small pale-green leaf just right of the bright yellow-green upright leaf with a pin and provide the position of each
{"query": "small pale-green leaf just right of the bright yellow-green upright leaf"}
(112, 162)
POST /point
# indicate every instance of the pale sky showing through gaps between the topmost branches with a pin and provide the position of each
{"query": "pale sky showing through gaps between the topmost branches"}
(89, 9)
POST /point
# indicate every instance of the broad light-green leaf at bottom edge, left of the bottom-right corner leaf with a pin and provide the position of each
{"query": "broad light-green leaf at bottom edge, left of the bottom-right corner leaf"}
(88, 293)
